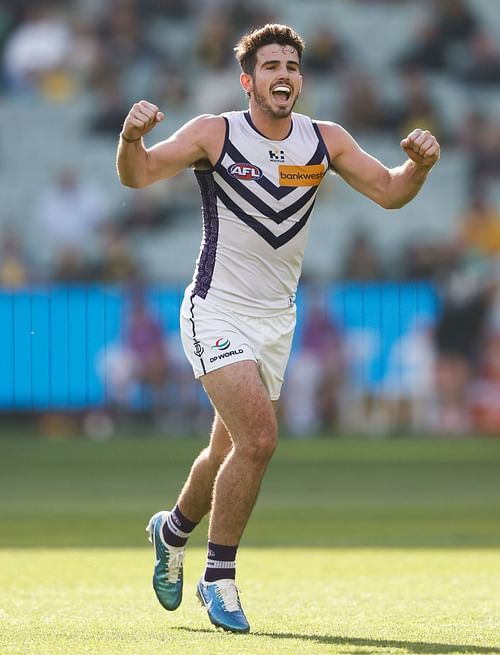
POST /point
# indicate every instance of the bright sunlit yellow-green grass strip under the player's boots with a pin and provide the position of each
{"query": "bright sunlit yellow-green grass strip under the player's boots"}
(299, 601)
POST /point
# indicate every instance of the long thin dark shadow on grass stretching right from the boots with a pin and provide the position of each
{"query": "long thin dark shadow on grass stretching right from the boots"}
(409, 646)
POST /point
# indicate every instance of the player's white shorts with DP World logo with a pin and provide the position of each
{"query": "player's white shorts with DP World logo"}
(214, 337)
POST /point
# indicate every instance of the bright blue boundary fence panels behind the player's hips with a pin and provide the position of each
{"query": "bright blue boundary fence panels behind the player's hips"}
(51, 337)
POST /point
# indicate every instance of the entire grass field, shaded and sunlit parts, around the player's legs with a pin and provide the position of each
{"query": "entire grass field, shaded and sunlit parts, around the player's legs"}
(356, 546)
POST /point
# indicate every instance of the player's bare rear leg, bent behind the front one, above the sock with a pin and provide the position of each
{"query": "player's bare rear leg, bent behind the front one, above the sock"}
(195, 498)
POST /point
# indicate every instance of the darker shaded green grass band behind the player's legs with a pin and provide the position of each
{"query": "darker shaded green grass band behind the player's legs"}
(342, 492)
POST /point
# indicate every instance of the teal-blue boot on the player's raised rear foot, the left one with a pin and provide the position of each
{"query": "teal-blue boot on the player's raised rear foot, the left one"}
(169, 560)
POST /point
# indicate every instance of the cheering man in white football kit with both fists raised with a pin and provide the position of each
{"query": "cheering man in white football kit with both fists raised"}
(258, 172)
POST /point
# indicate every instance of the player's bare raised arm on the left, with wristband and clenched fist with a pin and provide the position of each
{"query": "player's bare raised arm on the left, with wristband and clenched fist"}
(138, 166)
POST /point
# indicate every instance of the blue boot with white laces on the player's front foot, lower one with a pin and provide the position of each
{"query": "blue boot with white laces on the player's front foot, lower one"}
(222, 602)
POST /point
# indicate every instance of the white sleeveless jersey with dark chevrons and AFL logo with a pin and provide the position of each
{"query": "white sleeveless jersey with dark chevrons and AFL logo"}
(256, 204)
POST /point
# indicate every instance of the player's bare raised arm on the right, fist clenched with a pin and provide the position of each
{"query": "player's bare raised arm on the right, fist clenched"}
(390, 188)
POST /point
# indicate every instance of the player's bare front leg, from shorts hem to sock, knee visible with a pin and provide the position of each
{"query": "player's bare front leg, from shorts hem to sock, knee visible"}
(242, 402)
